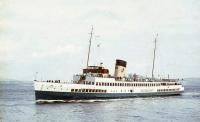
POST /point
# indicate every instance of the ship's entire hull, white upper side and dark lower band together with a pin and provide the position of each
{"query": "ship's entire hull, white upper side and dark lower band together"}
(82, 91)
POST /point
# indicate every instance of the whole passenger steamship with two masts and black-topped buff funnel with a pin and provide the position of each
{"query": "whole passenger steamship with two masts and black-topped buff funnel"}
(96, 82)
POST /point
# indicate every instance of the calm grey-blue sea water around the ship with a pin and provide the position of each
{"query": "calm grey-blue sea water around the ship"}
(17, 103)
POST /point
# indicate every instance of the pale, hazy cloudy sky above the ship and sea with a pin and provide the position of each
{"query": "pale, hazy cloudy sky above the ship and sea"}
(51, 37)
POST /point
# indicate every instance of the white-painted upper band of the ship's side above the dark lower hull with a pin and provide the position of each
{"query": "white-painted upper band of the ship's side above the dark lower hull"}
(66, 87)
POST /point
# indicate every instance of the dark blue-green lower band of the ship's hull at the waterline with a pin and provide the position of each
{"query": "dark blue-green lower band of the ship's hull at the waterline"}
(49, 95)
